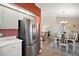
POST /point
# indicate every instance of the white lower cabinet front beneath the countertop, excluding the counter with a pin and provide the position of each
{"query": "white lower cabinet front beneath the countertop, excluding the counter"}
(11, 50)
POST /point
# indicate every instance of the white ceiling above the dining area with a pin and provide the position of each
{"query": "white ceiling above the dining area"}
(56, 9)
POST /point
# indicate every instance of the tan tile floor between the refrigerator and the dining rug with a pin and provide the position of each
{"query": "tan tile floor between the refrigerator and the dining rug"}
(46, 51)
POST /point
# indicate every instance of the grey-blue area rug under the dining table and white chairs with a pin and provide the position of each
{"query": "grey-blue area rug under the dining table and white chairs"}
(55, 47)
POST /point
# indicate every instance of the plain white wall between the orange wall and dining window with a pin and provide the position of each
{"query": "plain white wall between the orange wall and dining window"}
(50, 23)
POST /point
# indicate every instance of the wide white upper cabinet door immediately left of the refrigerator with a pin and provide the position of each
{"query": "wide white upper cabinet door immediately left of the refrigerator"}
(10, 18)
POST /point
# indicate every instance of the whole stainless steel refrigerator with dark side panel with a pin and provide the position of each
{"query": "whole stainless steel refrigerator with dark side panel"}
(27, 32)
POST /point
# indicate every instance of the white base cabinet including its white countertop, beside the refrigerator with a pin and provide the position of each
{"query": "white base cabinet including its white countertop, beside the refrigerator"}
(12, 47)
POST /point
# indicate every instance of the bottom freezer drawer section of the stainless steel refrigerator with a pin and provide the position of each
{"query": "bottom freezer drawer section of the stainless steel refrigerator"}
(31, 50)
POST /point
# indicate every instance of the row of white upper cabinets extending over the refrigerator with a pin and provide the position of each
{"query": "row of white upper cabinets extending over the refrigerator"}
(9, 17)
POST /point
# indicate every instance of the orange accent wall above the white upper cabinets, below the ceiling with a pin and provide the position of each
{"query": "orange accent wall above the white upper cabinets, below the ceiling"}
(31, 7)
